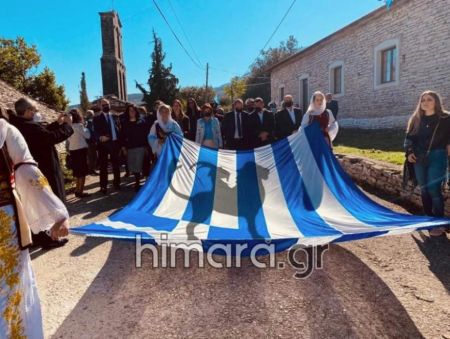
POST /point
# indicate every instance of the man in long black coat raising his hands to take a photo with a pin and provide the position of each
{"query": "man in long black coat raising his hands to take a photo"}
(41, 141)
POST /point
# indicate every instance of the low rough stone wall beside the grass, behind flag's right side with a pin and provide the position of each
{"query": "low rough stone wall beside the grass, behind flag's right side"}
(384, 177)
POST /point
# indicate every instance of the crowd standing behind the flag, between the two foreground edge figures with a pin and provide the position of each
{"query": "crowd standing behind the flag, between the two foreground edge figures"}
(135, 137)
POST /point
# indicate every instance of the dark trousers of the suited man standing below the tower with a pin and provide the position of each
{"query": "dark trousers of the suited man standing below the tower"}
(111, 149)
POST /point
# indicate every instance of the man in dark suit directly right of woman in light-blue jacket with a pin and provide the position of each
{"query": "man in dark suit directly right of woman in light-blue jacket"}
(235, 129)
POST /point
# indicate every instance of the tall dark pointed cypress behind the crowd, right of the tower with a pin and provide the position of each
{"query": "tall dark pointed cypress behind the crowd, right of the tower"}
(162, 83)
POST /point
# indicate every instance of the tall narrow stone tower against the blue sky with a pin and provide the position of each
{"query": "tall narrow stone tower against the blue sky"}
(113, 67)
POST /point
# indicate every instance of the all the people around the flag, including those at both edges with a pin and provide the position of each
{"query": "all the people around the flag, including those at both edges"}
(136, 138)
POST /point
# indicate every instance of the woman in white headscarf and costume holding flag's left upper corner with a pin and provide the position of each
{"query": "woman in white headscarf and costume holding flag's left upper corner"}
(161, 129)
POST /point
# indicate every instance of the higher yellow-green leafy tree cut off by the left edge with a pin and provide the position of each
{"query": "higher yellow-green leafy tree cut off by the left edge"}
(16, 60)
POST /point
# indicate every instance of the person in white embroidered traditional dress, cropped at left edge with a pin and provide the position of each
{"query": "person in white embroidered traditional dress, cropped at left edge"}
(20, 313)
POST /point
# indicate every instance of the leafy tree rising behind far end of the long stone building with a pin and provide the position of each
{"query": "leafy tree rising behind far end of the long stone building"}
(258, 79)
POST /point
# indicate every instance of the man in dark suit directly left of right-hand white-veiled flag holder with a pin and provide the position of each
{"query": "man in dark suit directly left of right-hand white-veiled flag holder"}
(288, 120)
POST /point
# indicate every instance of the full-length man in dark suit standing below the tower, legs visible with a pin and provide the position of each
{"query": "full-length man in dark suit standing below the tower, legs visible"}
(107, 127)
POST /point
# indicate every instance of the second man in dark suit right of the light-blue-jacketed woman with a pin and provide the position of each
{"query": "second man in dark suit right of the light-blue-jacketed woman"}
(262, 125)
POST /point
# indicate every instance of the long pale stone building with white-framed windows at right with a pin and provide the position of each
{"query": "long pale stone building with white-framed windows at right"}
(377, 66)
